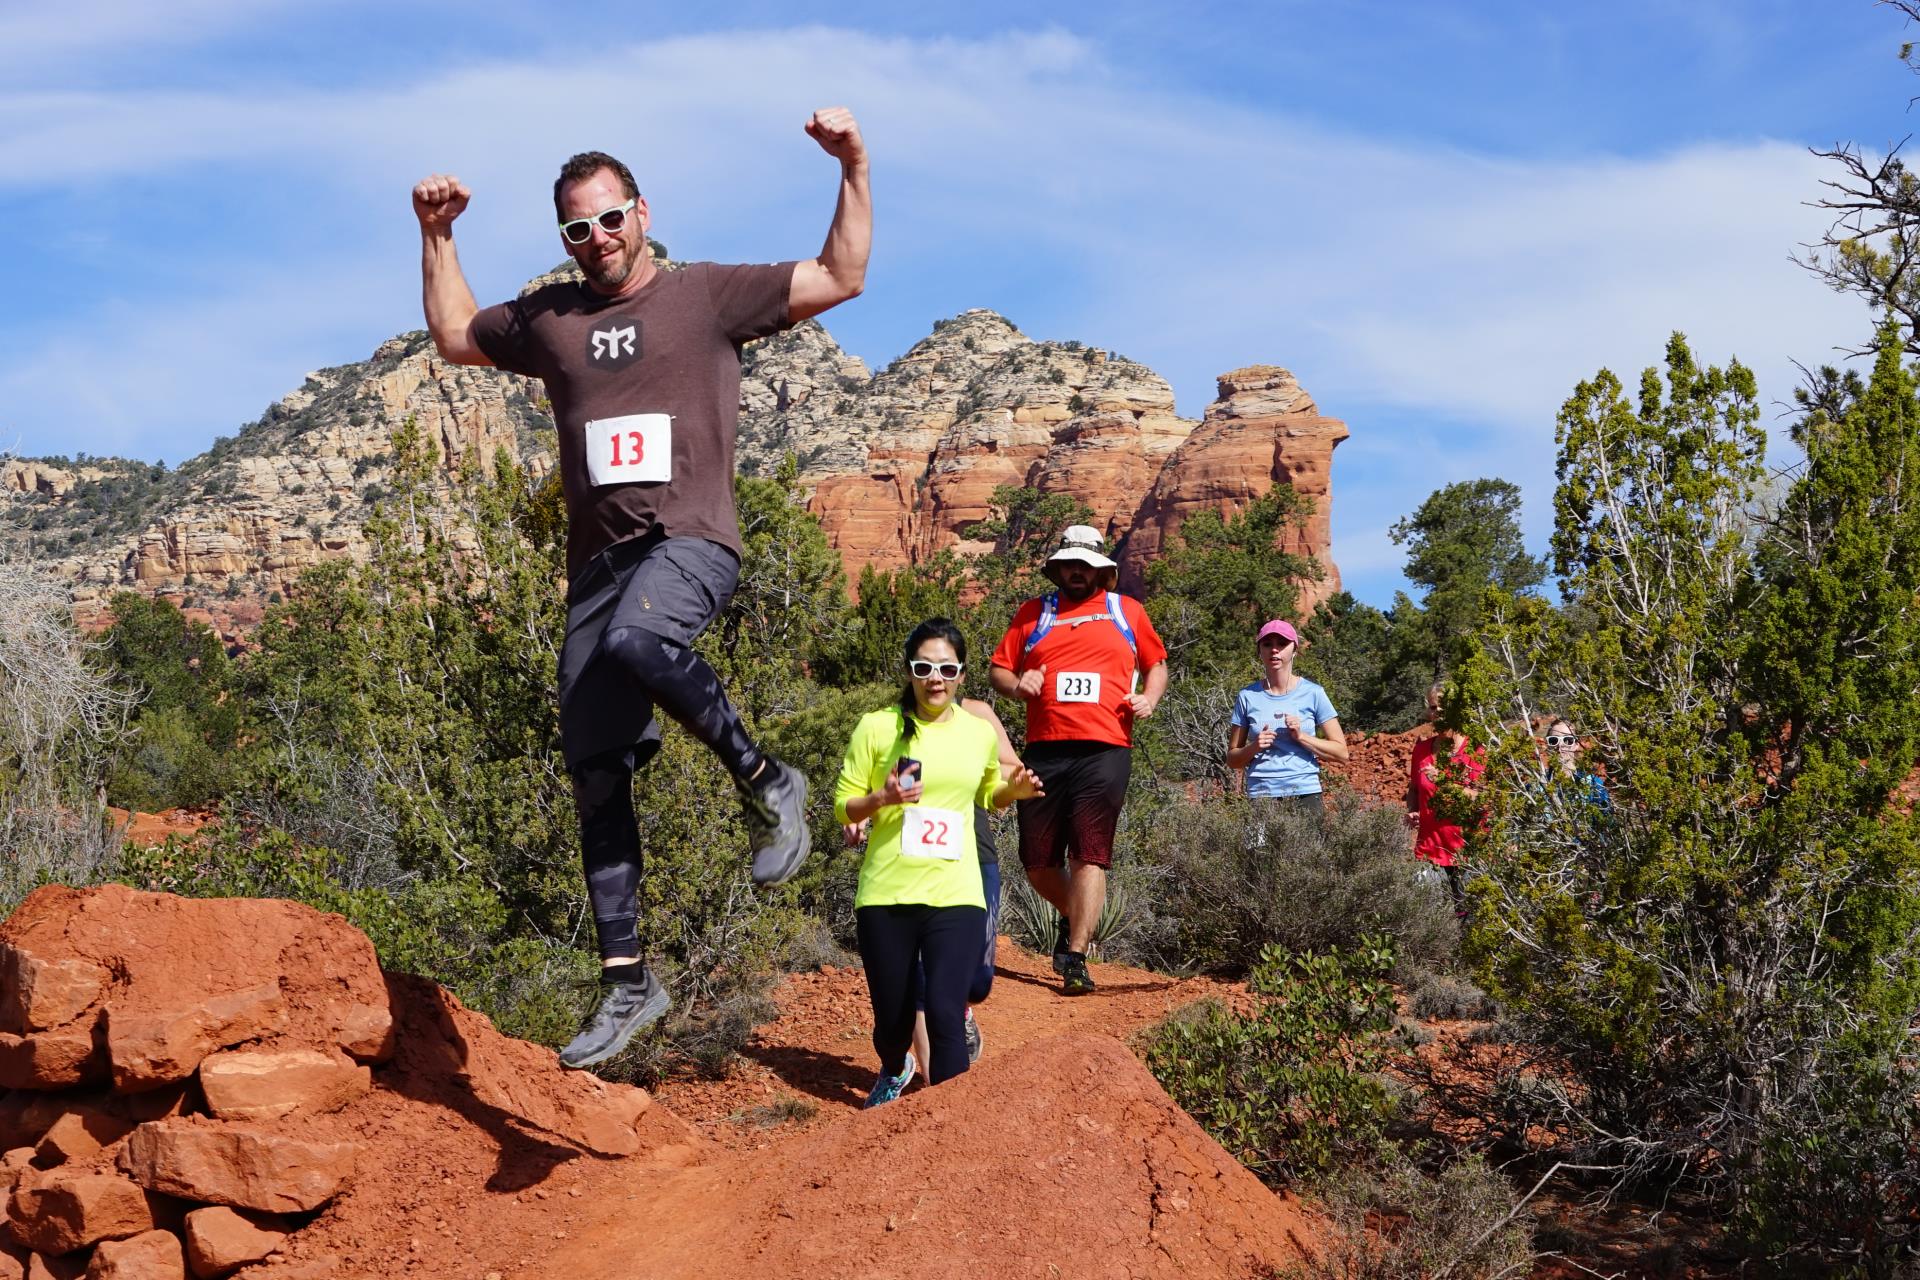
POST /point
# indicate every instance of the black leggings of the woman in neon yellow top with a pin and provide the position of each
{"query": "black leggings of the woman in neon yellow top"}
(946, 939)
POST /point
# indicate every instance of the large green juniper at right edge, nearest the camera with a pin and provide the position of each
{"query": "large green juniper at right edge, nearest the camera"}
(1708, 959)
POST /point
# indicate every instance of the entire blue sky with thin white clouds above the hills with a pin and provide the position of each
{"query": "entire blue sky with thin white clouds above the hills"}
(1439, 216)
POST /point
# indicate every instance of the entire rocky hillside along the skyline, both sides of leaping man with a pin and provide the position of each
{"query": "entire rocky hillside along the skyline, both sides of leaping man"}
(900, 463)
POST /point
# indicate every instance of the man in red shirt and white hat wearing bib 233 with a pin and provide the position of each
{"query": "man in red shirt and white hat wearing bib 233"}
(1076, 659)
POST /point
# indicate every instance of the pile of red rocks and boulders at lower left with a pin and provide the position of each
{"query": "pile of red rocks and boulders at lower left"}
(168, 1056)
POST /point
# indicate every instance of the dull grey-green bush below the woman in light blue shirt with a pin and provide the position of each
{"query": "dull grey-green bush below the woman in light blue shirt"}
(1243, 878)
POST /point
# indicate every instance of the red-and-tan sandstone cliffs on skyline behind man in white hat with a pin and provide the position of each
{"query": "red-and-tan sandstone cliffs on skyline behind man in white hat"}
(1103, 433)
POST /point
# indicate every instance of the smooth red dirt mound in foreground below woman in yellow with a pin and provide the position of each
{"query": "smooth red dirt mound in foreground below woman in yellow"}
(1061, 1158)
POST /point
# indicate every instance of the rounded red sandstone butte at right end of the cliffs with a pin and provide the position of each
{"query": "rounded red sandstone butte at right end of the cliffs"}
(1262, 431)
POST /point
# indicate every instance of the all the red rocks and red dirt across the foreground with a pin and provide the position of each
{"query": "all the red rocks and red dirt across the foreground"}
(343, 1124)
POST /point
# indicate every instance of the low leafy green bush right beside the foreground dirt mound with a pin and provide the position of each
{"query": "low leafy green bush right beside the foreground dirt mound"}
(1293, 1089)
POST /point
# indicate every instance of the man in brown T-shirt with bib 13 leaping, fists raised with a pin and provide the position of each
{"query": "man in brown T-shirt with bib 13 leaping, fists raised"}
(642, 366)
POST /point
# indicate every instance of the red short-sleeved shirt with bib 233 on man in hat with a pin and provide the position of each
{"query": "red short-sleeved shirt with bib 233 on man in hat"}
(1090, 669)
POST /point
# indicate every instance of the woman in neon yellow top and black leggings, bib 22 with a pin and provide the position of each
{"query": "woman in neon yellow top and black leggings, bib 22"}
(917, 770)
